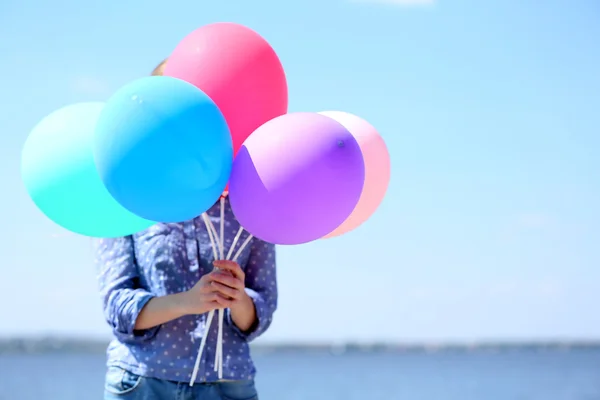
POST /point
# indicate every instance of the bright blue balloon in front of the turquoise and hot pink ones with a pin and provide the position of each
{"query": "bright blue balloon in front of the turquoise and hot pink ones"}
(163, 149)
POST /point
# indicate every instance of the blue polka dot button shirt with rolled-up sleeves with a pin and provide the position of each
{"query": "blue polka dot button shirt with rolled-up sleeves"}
(171, 258)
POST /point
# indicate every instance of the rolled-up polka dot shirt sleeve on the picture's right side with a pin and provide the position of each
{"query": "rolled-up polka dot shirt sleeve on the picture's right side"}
(261, 286)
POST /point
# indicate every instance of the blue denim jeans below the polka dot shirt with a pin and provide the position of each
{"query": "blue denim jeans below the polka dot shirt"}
(124, 385)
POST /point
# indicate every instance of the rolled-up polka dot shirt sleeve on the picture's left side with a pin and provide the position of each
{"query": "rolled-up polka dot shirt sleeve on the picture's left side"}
(122, 296)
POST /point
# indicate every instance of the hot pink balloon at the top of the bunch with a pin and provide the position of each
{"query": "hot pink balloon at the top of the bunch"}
(238, 69)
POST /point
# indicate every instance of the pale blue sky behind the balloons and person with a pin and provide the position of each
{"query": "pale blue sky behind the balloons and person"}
(491, 111)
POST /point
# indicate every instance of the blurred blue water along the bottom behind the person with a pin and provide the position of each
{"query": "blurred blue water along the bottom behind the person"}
(509, 375)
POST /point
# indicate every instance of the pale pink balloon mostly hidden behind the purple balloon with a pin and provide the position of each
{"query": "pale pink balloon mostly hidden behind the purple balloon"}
(377, 169)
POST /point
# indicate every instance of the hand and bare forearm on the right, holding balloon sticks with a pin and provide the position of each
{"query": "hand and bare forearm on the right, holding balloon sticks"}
(229, 281)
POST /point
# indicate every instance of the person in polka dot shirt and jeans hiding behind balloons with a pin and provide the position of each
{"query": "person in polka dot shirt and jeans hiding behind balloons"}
(157, 287)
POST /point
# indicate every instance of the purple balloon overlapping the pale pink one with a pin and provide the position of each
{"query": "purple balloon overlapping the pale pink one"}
(296, 178)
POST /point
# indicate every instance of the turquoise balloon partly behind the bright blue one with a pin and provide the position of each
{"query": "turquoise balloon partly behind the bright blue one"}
(58, 170)
